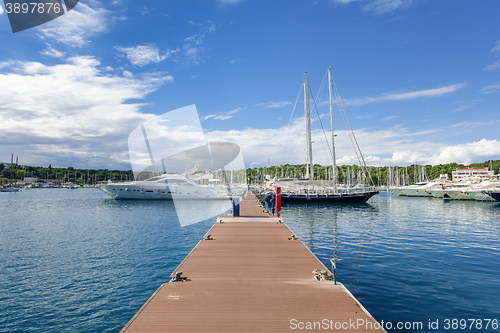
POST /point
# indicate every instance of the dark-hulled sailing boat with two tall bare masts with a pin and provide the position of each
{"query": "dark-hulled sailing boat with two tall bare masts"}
(310, 195)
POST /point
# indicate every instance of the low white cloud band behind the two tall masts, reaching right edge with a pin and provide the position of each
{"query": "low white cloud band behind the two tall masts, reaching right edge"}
(394, 146)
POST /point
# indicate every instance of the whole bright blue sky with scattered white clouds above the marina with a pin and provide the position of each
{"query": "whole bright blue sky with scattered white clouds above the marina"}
(419, 79)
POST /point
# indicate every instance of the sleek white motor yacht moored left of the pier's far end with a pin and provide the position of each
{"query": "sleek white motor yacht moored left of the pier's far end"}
(165, 187)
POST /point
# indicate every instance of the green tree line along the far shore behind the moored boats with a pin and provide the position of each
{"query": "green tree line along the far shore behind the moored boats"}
(346, 174)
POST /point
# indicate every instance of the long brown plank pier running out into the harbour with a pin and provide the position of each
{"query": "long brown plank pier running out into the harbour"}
(251, 278)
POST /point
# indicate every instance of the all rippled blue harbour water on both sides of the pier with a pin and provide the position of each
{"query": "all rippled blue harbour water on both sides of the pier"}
(74, 261)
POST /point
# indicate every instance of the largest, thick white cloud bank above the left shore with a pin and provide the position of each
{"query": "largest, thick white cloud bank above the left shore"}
(73, 112)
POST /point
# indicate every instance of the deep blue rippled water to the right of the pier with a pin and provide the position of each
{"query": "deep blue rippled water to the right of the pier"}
(411, 259)
